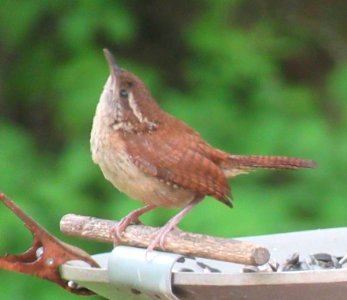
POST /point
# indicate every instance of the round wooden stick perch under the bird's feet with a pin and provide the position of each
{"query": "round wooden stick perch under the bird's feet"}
(177, 241)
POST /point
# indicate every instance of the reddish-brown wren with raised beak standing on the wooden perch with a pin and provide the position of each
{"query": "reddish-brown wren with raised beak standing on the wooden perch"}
(154, 157)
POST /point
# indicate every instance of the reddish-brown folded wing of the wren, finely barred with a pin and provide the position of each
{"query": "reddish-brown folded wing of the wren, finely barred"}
(176, 159)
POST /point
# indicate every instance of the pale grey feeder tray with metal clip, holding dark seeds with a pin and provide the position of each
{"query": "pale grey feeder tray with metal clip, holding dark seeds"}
(126, 274)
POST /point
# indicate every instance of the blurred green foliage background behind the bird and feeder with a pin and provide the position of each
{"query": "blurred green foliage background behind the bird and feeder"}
(253, 77)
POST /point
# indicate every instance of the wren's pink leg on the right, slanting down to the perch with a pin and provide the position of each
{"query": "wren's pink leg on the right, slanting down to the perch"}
(159, 237)
